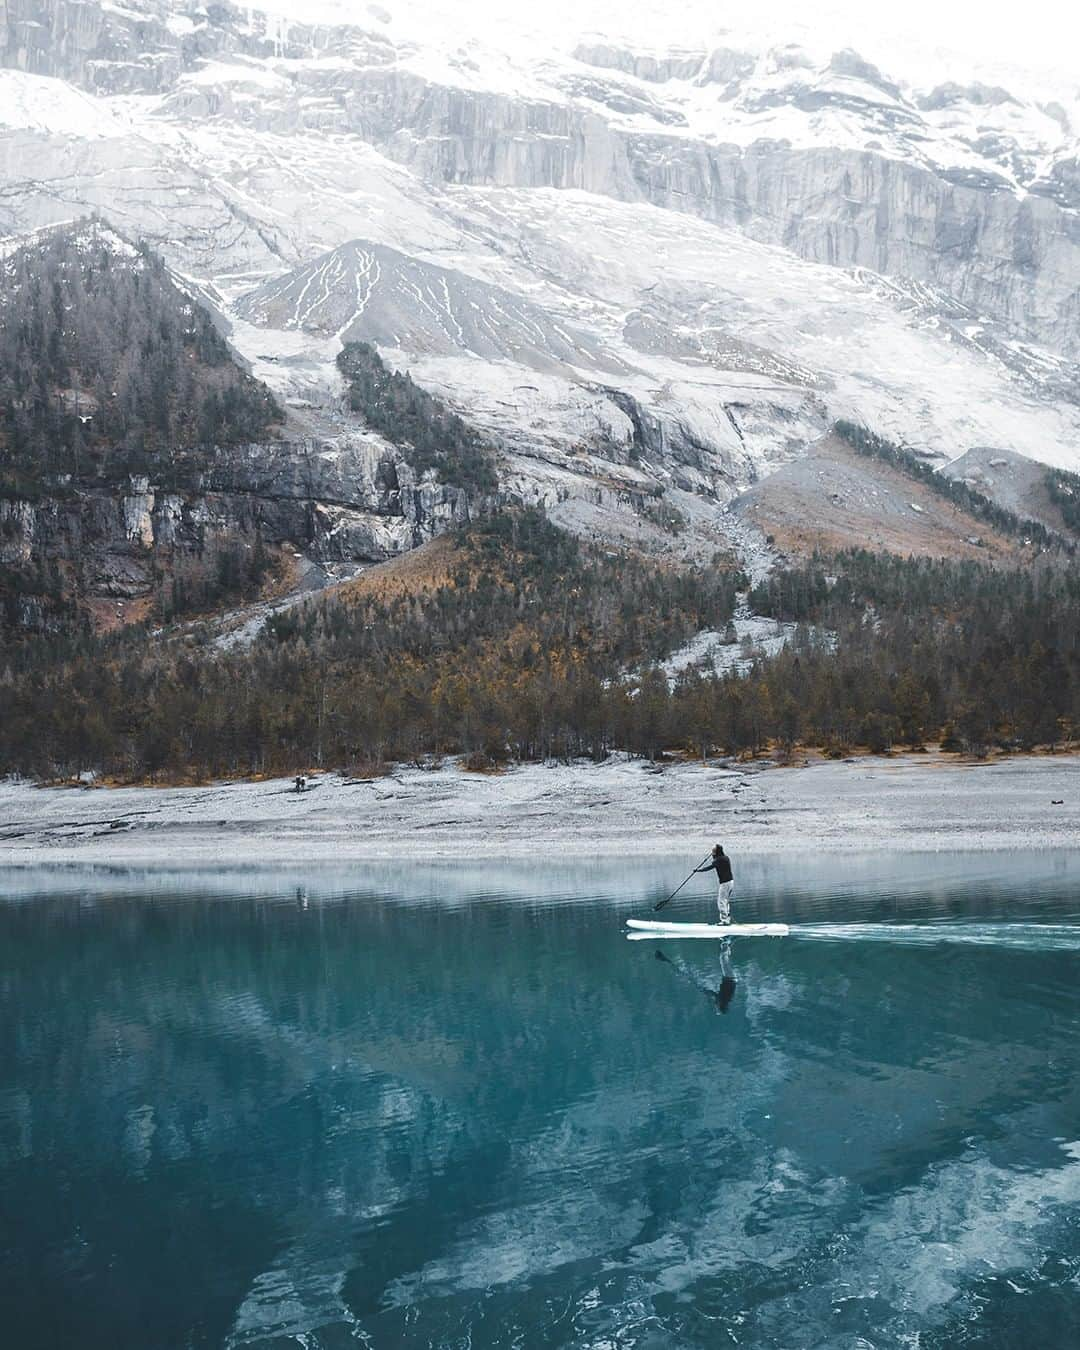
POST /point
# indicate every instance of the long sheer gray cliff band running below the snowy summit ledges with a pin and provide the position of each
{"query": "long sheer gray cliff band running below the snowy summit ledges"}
(1013, 259)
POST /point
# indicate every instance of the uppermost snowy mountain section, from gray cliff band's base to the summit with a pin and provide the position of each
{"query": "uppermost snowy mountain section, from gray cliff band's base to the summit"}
(969, 187)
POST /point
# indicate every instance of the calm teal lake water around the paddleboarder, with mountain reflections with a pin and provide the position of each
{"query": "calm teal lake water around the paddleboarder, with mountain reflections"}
(414, 1106)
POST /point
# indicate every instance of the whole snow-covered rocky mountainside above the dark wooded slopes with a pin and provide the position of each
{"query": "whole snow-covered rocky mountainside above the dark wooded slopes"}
(632, 265)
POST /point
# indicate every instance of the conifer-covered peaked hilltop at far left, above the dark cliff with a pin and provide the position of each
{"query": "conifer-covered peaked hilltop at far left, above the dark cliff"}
(107, 368)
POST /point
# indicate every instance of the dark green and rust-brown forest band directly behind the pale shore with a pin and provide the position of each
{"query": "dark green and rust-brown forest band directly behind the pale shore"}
(530, 645)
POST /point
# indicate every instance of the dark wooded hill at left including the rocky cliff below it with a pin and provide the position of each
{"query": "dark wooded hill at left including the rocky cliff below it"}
(144, 473)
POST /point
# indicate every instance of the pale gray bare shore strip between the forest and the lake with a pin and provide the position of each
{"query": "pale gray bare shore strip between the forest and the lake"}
(623, 808)
